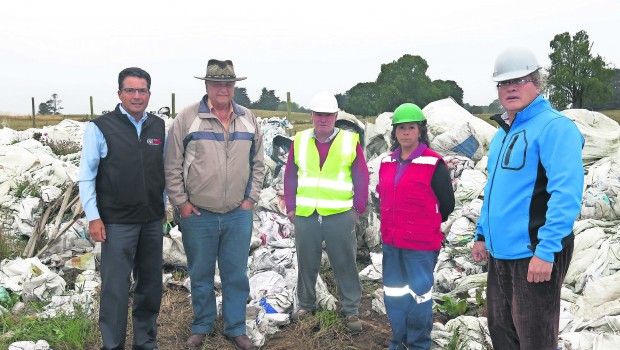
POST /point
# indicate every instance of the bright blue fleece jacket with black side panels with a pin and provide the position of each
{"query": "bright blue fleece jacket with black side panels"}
(534, 191)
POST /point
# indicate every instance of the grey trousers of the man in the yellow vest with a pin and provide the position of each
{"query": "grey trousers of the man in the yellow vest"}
(338, 232)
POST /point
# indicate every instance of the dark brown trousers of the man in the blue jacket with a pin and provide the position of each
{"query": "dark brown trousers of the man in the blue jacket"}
(525, 315)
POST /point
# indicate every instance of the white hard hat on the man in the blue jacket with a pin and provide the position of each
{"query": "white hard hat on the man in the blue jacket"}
(515, 62)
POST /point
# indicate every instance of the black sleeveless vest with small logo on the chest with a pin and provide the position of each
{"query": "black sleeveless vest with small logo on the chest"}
(130, 179)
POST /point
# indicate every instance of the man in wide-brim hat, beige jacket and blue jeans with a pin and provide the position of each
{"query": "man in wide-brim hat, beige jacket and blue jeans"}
(214, 173)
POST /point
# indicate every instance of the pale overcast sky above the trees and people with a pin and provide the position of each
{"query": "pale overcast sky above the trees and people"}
(76, 48)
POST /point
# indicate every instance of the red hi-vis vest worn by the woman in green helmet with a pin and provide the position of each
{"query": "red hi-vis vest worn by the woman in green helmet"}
(410, 216)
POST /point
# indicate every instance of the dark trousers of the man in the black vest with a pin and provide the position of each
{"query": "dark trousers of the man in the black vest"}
(131, 248)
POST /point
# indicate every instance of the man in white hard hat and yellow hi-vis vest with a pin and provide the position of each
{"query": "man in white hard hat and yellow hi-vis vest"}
(325, 190)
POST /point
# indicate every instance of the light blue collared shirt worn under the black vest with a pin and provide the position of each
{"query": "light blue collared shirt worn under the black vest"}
(94, 148)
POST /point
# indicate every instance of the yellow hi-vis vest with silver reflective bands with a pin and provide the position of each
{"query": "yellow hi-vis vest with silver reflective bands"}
(328, 190)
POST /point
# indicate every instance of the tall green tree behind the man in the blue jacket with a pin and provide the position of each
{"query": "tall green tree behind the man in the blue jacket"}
(575, 75)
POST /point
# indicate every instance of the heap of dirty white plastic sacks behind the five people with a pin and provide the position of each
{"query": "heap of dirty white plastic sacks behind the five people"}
(590, 317)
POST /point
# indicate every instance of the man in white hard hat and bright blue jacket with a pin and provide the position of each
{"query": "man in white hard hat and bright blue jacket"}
(531, 201)
